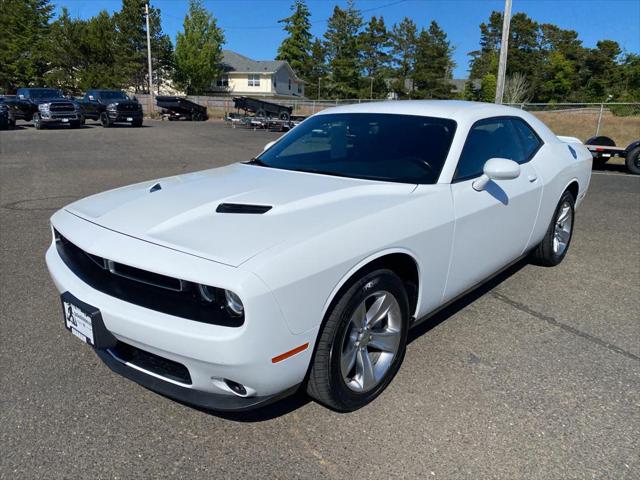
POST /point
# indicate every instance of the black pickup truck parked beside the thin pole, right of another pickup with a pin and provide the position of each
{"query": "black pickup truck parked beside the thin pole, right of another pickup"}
(111, 106)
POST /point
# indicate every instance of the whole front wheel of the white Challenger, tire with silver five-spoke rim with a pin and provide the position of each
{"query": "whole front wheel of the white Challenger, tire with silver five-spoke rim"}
(362, 343)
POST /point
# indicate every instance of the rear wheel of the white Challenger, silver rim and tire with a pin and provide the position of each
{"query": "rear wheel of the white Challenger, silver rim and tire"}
(555, 244)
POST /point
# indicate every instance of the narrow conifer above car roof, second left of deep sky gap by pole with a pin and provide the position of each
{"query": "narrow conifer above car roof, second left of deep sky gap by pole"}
(403, 49)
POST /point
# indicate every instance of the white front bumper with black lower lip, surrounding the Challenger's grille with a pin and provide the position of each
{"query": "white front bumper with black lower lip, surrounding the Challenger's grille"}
(210, 353)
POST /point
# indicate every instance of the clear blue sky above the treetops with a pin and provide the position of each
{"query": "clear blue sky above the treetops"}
(251, 26)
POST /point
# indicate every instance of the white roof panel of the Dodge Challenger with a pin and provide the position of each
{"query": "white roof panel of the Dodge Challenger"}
(453, 109)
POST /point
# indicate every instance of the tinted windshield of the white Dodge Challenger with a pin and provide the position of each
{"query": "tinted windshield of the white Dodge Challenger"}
(374, 146)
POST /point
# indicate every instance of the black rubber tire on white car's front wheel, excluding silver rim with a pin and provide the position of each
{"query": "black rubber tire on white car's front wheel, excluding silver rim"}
(326, 383)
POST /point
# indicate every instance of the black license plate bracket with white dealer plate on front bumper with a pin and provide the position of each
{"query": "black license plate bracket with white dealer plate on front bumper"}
(85, 322)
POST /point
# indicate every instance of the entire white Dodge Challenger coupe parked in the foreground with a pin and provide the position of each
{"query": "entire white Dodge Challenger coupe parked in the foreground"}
(307, 265)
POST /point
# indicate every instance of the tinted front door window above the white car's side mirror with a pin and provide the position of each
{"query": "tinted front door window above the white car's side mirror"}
(489, 138)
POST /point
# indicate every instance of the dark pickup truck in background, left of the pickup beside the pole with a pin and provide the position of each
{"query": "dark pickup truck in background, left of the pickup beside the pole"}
(47, 106)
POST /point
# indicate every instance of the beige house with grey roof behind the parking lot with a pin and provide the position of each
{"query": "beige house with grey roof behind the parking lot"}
(269, 78)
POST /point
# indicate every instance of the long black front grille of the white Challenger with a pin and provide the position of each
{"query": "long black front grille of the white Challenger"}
(141, 287)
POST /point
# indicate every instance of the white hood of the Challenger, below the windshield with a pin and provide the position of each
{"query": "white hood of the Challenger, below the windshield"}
(182, 215)
